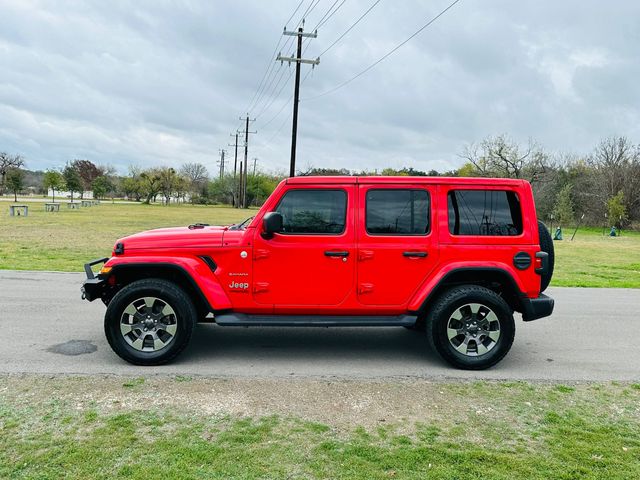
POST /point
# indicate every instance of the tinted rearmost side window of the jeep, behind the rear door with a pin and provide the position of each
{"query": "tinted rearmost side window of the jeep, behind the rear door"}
(484, 212)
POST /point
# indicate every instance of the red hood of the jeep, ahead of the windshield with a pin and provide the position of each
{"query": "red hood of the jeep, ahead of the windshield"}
(178, 237)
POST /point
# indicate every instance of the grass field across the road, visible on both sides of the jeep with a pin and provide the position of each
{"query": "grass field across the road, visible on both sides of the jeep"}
(64, 241)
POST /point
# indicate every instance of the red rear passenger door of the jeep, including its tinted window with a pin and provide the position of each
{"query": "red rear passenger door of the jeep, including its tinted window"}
(396, 242)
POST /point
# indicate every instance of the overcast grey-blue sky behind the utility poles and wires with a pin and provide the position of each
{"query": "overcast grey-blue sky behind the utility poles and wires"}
(163, 83)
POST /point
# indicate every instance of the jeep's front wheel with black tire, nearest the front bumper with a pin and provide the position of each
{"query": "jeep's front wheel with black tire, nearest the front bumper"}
(132, 297)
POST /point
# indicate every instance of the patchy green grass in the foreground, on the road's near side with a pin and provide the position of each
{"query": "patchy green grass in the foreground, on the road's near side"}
(55, 428)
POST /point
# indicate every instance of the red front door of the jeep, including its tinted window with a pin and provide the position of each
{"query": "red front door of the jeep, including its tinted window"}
(311, 262)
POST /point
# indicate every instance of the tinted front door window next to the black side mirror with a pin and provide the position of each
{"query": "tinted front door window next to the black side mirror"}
(313, 211)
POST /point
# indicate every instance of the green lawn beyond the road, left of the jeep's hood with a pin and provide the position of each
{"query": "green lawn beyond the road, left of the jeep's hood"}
(64, 241)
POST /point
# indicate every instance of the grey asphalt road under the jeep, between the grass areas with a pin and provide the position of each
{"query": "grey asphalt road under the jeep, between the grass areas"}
(593, 335)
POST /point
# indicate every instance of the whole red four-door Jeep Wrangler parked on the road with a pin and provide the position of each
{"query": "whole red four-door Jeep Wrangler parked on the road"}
(454, 257)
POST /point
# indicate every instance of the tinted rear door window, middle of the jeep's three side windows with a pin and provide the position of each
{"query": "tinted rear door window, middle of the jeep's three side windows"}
(399, 212)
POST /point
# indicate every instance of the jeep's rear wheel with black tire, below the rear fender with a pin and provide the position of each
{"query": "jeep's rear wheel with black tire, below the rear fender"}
(457, 300)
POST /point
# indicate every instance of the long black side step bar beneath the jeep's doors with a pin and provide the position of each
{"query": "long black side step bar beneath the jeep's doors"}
(244, 320)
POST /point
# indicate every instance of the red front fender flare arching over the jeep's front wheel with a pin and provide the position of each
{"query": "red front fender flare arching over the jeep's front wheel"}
(196, 270)
